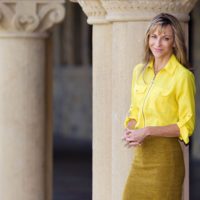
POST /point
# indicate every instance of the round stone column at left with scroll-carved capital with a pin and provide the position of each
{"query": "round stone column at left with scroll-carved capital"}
(25, 156)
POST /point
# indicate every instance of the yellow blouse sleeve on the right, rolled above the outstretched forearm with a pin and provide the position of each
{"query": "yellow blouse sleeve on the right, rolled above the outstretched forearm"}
(186, 105)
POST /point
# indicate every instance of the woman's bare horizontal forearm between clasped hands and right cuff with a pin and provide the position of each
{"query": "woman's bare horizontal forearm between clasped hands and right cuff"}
(163, 131)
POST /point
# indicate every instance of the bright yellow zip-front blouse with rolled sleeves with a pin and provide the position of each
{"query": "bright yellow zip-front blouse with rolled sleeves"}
(163, 99)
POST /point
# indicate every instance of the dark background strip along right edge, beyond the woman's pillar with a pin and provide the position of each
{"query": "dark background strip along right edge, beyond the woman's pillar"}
(195, 140)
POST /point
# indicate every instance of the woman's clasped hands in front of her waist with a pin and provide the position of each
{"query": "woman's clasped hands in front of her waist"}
(134, 137)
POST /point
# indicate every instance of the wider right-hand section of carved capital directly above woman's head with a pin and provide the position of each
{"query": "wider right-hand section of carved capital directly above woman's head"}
(144, 10)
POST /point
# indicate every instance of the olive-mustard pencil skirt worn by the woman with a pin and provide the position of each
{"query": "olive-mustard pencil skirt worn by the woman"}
(157, 172)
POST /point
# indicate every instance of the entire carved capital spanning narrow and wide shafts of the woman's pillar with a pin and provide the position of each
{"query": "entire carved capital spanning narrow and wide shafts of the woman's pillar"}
(102, 11)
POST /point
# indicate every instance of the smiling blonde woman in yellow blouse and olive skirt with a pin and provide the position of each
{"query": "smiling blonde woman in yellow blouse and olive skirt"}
(162, 112)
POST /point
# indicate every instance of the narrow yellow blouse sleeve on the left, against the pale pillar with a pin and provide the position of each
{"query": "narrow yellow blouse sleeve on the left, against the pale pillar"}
(133, 110)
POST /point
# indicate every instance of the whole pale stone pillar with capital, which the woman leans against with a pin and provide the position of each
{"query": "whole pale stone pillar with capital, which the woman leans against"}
(112, 71)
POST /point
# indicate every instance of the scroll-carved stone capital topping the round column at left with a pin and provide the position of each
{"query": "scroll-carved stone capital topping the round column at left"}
(29, 17)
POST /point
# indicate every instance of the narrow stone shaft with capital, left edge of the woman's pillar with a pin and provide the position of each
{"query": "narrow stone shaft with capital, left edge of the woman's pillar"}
(102, 99)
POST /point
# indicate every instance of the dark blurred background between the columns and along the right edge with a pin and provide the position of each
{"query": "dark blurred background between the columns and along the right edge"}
(72, 107)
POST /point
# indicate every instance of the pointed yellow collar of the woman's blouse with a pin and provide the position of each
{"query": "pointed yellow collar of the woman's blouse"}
(169, 67)
